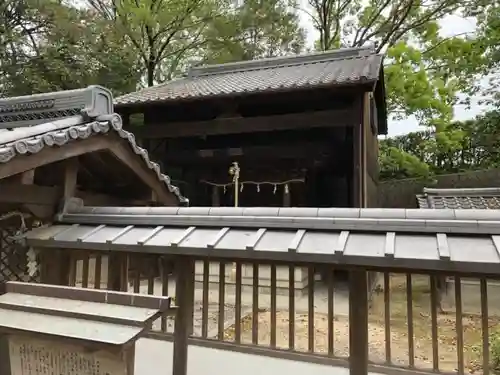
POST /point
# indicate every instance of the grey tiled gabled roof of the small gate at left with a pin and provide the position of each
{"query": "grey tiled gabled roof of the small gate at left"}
(31, 140)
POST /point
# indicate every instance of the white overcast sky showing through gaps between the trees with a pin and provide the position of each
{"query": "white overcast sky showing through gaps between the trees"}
(450, 25)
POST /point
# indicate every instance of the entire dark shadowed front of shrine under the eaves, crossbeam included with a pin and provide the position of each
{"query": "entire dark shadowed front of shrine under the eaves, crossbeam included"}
(314, 164)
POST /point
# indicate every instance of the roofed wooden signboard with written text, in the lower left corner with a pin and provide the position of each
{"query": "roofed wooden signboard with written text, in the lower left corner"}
(53, 330)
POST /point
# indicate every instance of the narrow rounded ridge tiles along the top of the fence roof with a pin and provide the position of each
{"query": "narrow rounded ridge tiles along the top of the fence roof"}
(374, 219)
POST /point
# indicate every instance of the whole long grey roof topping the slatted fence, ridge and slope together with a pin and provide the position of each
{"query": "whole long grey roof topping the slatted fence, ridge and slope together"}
(378, 238)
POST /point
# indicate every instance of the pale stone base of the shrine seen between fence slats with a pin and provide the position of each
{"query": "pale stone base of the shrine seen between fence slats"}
(282, 280)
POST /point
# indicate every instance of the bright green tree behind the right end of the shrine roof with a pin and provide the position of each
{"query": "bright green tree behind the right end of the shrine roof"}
(424, 70)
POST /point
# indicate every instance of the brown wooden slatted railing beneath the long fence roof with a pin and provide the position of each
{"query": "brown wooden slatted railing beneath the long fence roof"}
(407, 321)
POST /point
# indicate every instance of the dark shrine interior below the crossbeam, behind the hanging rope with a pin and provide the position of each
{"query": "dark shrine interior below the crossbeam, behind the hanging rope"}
(313, 166)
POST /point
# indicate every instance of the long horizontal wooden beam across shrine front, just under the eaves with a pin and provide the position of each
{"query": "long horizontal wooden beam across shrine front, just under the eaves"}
(332, 118)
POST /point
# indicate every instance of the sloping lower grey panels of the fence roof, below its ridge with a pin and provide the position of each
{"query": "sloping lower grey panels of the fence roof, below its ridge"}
(373, 246)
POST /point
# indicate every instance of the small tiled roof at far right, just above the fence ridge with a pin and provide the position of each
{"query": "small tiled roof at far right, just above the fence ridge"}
(480, 198)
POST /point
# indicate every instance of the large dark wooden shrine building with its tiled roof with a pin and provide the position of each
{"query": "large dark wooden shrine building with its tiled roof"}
(303, 129)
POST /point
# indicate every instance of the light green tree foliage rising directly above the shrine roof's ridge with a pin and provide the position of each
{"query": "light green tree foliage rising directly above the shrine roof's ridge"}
(170, 35)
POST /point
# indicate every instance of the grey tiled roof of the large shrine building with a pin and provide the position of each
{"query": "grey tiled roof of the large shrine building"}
(338, 67)
